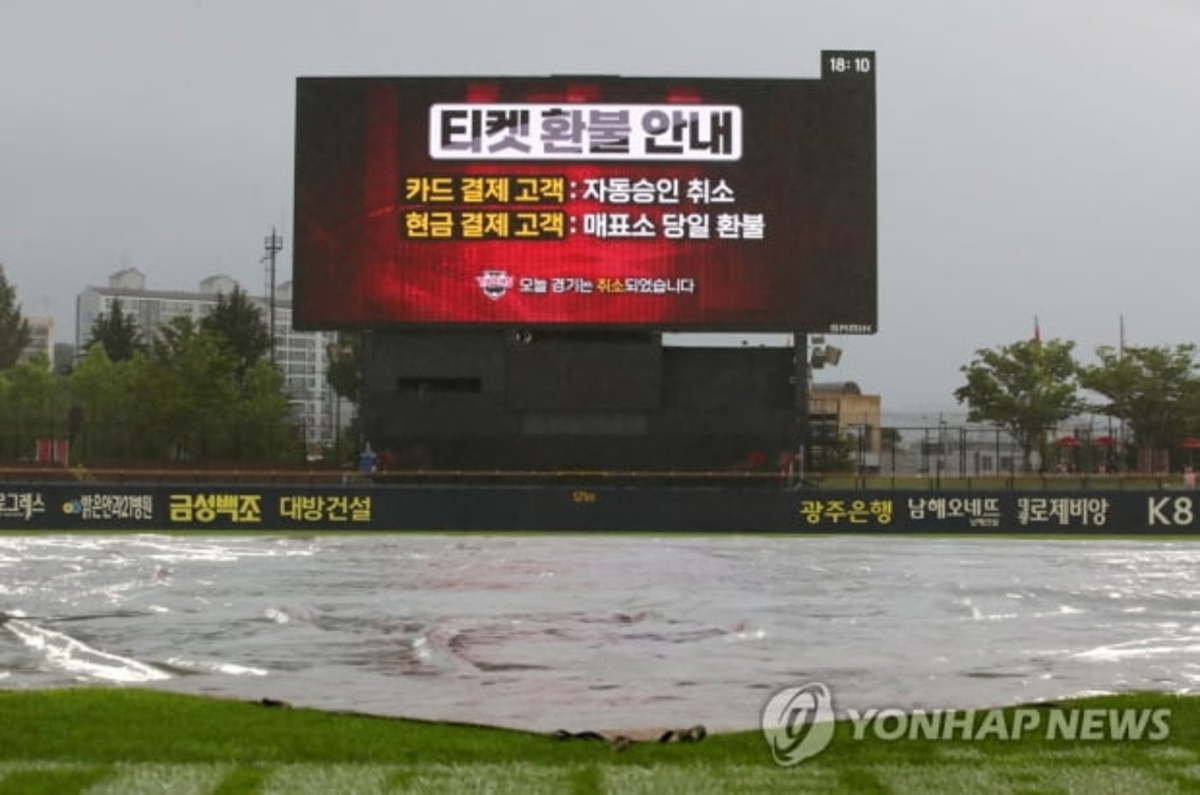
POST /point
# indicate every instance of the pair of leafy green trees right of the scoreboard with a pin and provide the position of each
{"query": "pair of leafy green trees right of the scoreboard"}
(1031, 387)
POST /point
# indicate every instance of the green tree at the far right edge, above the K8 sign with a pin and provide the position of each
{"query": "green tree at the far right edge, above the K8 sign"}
(1156, 391)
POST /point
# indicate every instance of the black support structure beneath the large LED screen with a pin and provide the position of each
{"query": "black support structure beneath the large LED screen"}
(604, 402)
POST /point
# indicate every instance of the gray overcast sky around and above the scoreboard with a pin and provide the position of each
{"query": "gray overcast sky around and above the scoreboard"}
(1035, 157)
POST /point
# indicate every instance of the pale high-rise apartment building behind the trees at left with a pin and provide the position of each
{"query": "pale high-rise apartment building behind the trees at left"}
(302, 356)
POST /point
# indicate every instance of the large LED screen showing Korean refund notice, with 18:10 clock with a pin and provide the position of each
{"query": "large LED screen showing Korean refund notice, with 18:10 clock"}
(669, 204)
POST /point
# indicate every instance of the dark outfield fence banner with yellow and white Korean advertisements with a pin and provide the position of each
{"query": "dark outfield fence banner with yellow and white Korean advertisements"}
(67, 507)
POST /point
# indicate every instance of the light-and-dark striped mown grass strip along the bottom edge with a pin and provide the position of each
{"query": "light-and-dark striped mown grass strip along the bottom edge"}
(64, 779)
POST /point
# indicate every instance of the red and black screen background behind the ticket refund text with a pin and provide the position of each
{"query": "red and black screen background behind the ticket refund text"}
(808, 166)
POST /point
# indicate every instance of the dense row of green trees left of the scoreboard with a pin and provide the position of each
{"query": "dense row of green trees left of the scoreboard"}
(199, 391)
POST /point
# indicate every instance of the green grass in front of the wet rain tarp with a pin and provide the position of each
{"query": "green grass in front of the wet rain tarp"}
(103, 742)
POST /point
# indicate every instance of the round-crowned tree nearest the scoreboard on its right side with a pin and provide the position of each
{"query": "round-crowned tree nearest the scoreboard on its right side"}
(1027, 387)
